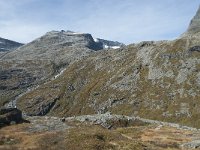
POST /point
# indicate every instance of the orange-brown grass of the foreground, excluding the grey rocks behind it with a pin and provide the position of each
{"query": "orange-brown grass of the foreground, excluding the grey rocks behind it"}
(90, 137)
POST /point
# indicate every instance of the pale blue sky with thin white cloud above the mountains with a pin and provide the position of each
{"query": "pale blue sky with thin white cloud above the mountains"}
(127, 21)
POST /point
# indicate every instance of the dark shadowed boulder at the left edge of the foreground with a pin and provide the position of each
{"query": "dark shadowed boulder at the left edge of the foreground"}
(9, 115)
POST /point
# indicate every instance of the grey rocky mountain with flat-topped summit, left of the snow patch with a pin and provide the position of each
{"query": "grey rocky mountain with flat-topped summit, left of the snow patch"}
(40, 60)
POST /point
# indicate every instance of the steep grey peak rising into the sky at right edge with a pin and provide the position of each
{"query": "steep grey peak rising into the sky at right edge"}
(194, 26)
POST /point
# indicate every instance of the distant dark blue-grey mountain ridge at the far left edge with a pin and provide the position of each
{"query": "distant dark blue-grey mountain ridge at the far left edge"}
(6, 45)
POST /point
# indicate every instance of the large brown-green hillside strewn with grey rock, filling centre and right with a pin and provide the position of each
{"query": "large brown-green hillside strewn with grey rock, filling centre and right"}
(157, 80)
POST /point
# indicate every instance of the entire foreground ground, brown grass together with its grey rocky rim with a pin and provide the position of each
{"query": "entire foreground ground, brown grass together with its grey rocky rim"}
(103, 131)
